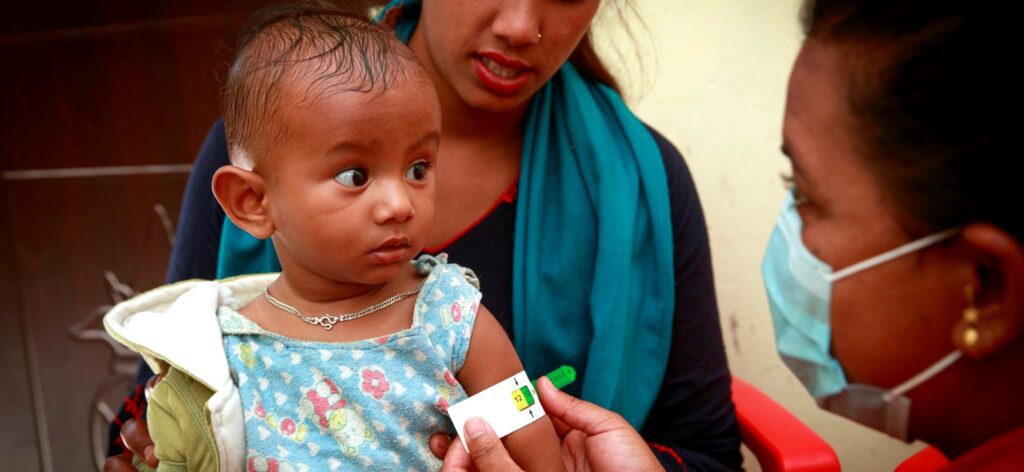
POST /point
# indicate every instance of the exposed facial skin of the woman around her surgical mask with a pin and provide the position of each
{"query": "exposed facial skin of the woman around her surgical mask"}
(891, 322)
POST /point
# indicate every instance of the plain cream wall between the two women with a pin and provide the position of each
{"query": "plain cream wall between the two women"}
(714, 82)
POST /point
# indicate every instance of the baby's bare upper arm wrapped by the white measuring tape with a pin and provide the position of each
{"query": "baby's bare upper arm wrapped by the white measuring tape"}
(491, 360)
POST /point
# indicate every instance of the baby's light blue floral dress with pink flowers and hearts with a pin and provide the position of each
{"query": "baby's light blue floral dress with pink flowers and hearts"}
(362, 405)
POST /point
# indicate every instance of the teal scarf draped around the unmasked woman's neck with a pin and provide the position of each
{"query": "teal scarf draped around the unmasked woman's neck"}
(593, 282)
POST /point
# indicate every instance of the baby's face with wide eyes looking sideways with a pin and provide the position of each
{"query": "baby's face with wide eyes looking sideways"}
(351, 186)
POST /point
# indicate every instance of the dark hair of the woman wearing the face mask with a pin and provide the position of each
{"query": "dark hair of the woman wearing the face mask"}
(937, 93)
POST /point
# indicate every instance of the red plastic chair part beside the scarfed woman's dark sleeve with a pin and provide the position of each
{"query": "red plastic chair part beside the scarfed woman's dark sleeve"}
(781, 441)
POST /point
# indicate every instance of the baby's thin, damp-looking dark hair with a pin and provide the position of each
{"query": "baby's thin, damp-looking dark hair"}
(325, 50)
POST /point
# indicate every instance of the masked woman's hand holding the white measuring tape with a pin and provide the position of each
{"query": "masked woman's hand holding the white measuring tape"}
(593, 439)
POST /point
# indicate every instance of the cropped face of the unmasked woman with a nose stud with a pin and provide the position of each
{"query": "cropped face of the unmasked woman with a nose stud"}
(495, 55)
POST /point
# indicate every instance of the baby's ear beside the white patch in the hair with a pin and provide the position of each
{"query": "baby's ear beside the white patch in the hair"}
(241, 194)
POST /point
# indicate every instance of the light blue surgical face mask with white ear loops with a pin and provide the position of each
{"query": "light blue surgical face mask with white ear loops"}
(799, 288)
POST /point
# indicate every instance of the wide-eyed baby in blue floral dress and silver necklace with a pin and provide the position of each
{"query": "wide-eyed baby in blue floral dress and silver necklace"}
(333, 132)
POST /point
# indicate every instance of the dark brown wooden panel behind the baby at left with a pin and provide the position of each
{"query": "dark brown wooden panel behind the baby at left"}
(91, 85)
